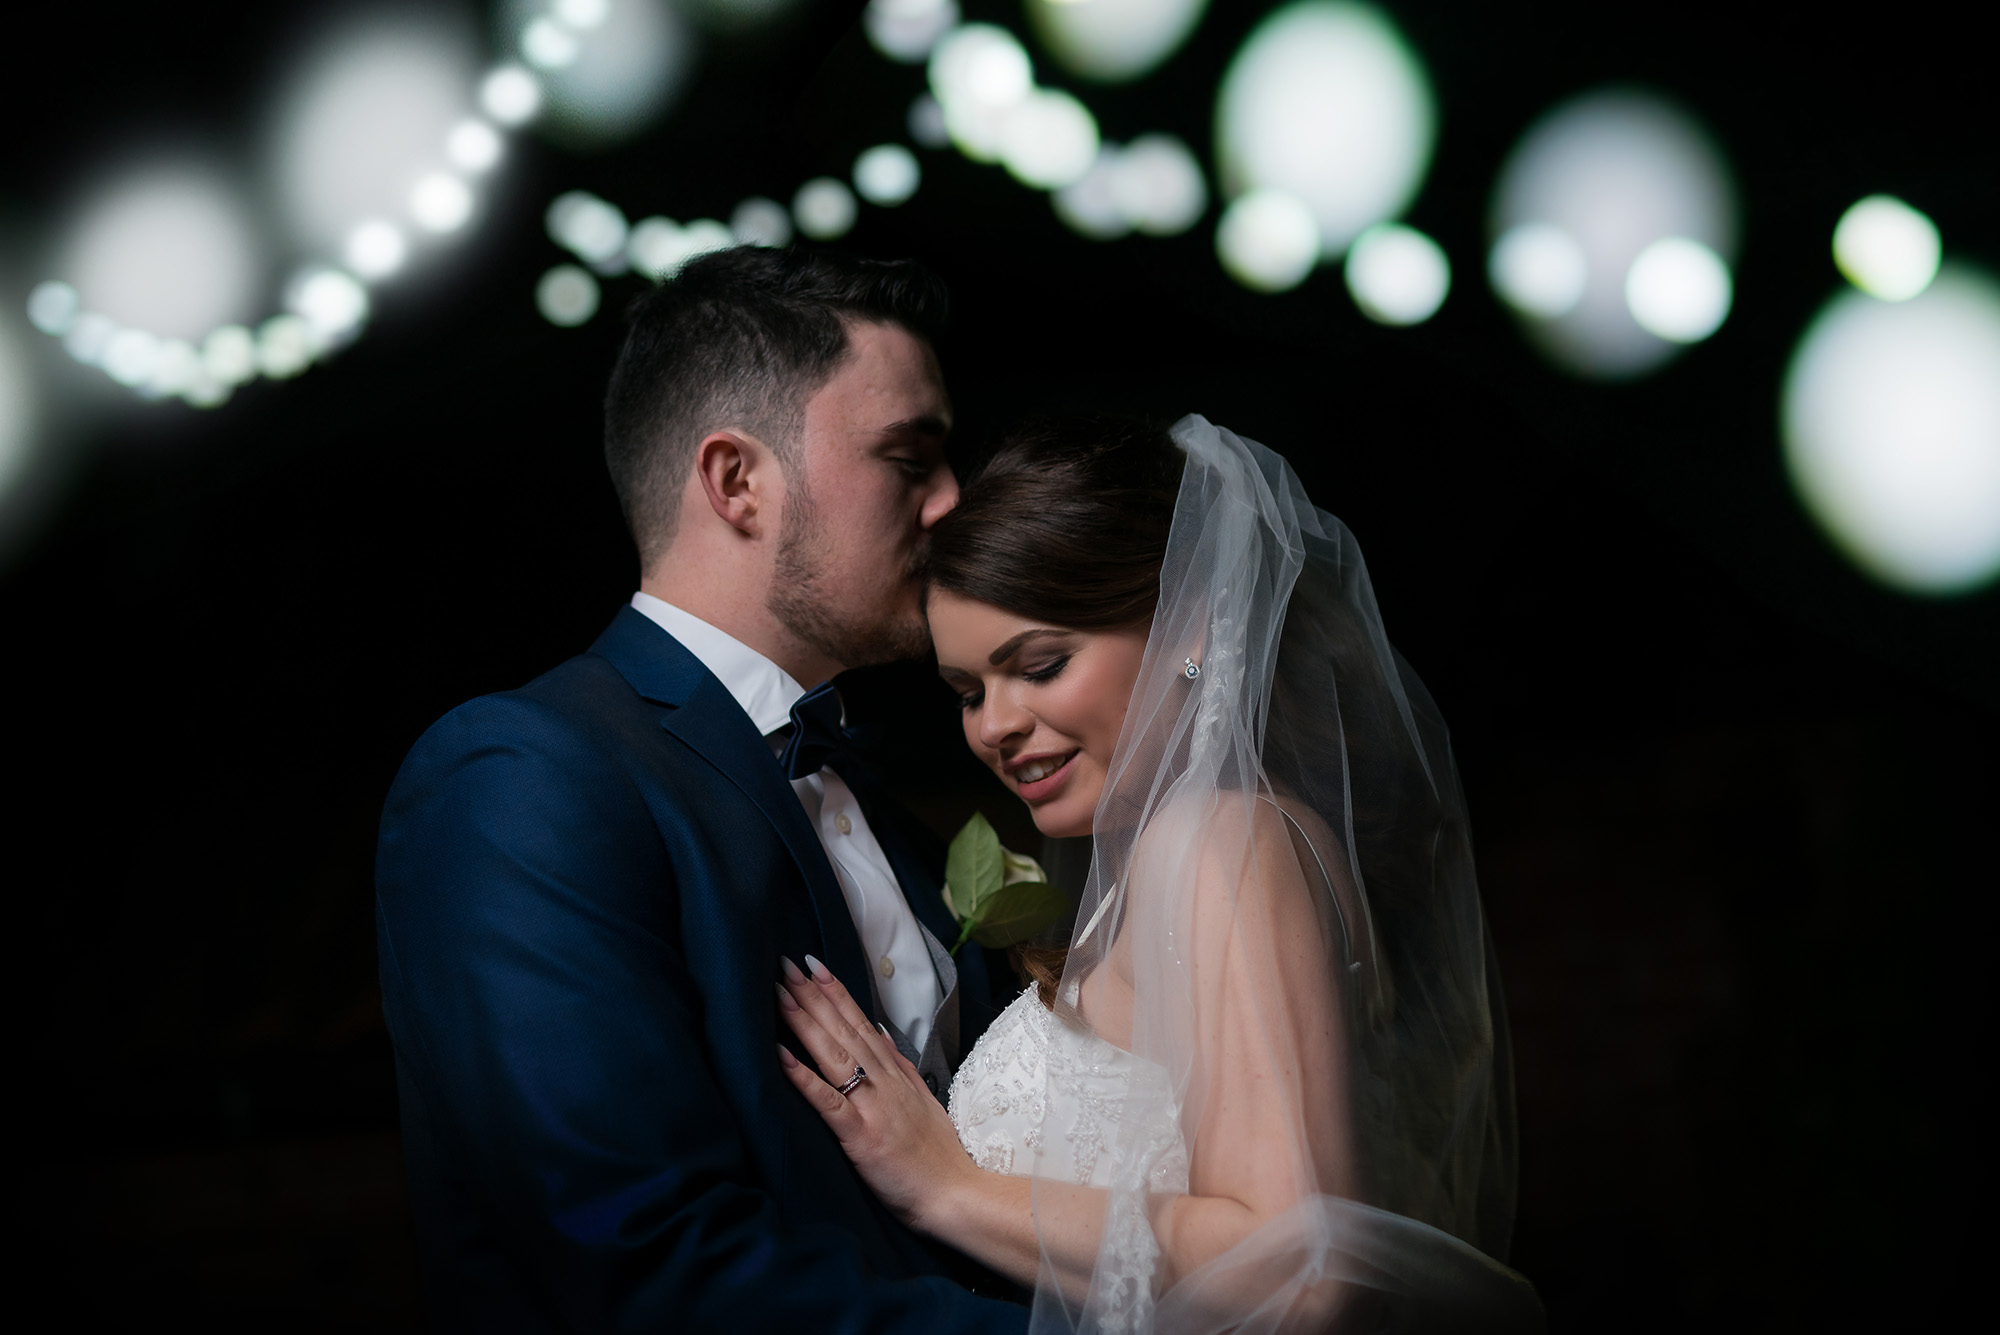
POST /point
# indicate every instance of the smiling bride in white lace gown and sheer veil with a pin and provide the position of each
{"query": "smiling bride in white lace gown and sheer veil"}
(1267, 1084)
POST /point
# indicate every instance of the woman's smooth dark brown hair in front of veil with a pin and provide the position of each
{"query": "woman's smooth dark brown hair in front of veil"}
(1067, 523)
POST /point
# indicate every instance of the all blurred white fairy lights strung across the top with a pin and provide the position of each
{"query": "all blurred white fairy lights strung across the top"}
(1615, 223)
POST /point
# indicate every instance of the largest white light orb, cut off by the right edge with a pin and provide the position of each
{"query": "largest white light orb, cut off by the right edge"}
(1893, 433)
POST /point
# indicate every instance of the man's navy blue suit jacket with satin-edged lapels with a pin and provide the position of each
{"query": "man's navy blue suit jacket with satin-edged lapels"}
(583, 892)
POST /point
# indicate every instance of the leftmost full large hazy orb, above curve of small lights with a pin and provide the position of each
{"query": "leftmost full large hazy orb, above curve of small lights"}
(165, 249)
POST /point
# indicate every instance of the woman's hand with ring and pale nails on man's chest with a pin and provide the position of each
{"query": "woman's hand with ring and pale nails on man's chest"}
(891, 1126)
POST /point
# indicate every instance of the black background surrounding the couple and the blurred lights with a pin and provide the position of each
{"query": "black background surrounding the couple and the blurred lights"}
(1733, 802)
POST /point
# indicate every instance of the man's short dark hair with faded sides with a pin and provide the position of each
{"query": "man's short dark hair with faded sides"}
(741, 339)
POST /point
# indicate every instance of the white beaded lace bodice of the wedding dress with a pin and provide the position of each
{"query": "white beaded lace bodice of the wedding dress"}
(1039, 1098)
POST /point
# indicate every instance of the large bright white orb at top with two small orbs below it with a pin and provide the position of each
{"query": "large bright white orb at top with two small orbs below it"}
(1329, 105)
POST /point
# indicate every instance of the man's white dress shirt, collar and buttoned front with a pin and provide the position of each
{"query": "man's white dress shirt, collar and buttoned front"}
(891, 934)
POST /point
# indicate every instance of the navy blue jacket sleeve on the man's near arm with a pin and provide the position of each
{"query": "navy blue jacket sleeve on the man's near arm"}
(549, 1038)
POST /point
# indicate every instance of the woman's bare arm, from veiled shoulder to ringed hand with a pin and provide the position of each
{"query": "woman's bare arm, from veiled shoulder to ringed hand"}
(1267, 1072)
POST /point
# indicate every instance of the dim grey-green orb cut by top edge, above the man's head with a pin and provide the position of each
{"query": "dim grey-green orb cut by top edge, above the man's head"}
(621, 73)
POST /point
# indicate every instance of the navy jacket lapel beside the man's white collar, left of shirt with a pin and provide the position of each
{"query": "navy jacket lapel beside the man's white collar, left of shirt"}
(709, 722)
